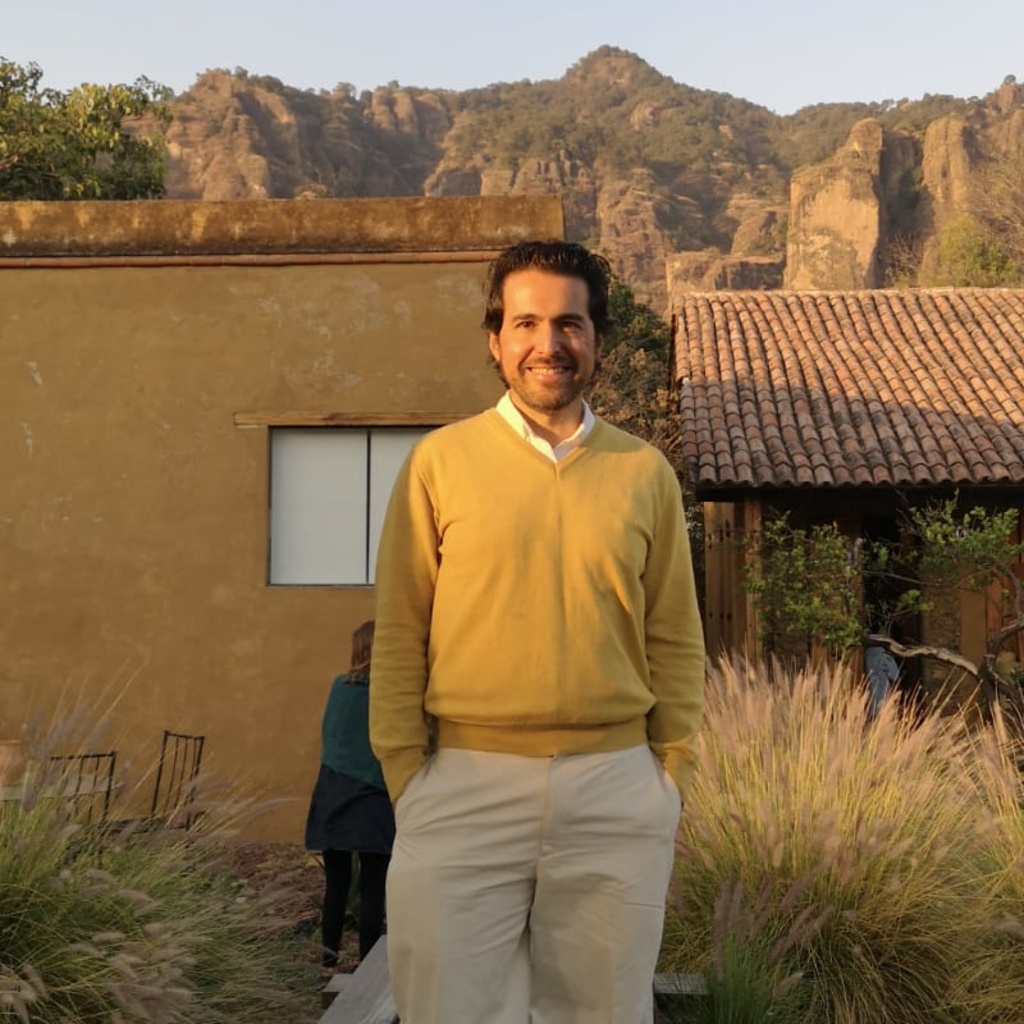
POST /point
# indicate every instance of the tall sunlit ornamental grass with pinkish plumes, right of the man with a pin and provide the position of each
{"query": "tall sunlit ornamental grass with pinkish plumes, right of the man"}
(842, 871)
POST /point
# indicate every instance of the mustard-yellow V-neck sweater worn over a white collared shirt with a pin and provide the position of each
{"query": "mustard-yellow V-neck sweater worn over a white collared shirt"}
(535, 608)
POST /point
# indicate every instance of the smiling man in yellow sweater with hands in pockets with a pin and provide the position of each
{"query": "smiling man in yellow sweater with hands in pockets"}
(536, 603)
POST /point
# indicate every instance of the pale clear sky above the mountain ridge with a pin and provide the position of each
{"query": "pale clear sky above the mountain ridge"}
(783, 55)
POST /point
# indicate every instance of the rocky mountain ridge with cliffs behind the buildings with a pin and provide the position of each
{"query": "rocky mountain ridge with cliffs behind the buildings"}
(652, 172)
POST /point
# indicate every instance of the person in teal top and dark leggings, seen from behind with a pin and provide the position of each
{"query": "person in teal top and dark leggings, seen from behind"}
(351, 812)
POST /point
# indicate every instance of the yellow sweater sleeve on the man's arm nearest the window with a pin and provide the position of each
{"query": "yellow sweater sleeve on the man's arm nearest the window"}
(407, 573)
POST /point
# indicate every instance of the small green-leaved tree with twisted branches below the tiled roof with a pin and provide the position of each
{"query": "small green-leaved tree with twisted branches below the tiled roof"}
(806, 585)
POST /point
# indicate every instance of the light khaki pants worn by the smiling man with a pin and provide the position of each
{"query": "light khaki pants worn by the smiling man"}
(531, 890)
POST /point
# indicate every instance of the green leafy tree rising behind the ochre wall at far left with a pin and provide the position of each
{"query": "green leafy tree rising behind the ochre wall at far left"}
(95, 142)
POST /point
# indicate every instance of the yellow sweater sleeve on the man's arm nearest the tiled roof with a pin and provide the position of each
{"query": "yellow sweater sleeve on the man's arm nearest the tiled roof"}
(674, 638)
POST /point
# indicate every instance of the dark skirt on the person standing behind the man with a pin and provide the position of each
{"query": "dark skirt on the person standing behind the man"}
(347, 814)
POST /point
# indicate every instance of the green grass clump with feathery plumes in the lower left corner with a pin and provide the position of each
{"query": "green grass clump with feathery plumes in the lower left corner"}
(142, 925)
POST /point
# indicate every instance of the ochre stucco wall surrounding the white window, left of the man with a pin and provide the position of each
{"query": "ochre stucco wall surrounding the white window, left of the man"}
(134, 509)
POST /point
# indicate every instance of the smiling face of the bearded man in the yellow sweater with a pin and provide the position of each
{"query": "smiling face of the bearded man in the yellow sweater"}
(546, 350)
